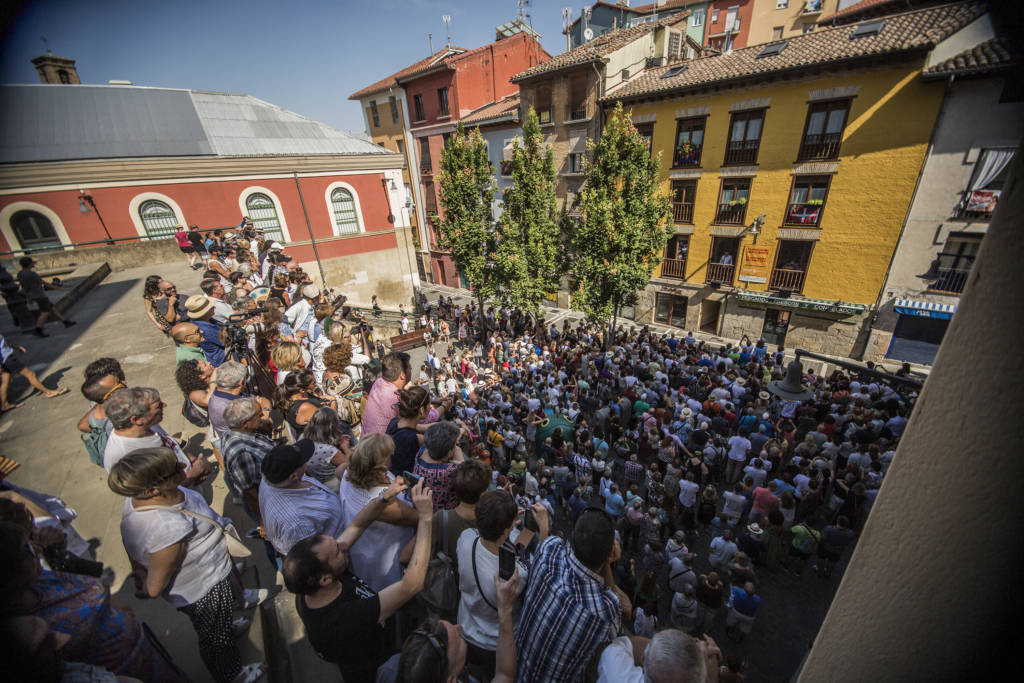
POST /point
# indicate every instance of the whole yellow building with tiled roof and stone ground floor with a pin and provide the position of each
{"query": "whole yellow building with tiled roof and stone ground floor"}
(791, 178)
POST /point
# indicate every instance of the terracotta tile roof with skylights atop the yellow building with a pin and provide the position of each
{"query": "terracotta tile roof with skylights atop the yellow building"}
(919, 30)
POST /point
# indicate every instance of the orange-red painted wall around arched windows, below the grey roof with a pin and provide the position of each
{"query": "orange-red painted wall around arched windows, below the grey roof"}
(216, 204)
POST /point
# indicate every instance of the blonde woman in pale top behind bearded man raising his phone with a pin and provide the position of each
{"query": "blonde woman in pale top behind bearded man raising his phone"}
(375, 559)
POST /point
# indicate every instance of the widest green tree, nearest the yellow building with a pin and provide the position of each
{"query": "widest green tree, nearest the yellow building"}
(615, 246)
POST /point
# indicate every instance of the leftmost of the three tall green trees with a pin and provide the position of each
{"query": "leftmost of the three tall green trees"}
(467, 186)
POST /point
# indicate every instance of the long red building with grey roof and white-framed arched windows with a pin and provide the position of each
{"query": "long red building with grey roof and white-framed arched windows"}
(152, 159)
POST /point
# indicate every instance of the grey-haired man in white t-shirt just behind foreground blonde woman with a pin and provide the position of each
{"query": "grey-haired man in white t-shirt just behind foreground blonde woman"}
(136, 415)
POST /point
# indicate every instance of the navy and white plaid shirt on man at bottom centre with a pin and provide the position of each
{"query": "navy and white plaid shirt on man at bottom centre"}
(568, 614)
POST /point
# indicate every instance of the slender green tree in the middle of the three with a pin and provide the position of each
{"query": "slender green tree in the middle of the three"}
(529, 231)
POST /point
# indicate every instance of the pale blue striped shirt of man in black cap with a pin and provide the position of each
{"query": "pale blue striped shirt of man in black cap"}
(292, 515)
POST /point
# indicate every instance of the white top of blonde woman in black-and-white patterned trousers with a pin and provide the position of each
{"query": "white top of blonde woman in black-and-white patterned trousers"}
(206, 563)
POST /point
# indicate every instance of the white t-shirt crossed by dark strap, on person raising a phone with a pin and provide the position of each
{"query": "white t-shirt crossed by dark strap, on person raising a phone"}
(479, 620)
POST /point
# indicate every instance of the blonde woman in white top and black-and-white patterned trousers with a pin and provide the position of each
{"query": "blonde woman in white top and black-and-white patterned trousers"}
(178, 550)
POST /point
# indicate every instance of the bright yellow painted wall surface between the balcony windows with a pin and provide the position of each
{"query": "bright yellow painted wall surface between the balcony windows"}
(884, 146)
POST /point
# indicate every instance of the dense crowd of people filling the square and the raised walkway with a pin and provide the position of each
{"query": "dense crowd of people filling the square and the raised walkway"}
(532, 503)
